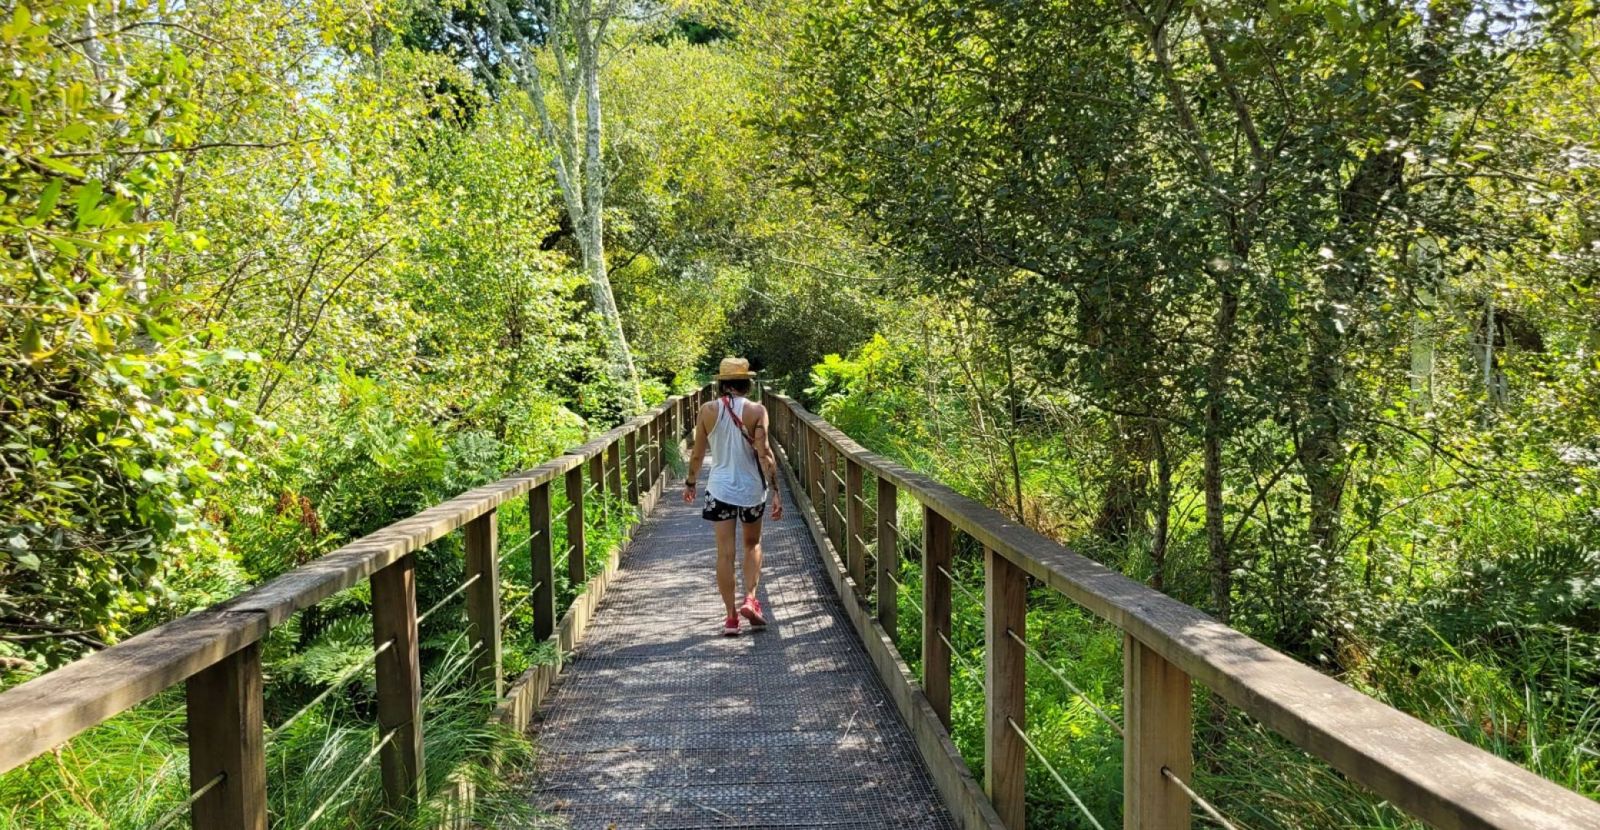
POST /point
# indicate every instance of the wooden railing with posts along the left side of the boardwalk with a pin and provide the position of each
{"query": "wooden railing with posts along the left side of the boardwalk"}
(217, 653)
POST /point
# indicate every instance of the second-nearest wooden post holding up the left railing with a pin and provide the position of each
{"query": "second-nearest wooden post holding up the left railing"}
(399, 672)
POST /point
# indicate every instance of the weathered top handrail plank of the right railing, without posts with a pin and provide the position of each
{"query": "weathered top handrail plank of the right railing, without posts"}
(1425, 772)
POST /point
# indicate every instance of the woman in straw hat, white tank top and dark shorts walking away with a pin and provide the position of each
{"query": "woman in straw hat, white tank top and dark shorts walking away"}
(743, 476)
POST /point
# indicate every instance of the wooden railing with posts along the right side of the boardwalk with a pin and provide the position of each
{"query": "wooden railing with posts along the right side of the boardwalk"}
(1169, 647)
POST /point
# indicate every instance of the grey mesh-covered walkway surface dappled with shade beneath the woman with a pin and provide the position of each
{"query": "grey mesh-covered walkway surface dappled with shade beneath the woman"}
(662, 722)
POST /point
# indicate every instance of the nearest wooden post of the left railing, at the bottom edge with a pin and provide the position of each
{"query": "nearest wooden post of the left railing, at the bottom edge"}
(226, 740)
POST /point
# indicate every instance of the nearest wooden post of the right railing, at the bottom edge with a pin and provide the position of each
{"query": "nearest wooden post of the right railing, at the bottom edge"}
(1156, 708)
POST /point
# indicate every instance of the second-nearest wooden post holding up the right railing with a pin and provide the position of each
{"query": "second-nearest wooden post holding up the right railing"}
(1006, 698)
